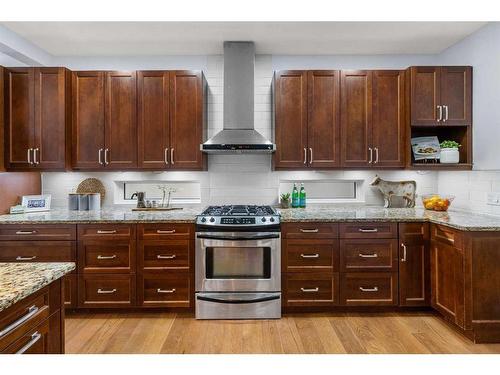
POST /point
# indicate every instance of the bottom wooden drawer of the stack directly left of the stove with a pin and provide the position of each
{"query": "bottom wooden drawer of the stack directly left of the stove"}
(172, 290)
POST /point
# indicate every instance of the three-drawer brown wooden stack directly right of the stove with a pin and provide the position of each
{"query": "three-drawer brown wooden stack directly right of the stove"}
(310, 264)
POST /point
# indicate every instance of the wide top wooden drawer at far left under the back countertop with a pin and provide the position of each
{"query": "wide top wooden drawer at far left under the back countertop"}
(39, 232)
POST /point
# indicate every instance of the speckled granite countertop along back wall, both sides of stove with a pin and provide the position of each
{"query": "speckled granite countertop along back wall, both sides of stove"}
(463, 220)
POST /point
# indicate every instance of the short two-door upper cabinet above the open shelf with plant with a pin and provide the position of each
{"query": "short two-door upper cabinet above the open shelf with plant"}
(441, 95)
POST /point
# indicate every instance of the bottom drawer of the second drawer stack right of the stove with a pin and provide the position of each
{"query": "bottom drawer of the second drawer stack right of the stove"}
(365, 289)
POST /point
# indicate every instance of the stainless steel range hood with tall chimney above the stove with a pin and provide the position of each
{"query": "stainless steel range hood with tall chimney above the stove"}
(238, 135)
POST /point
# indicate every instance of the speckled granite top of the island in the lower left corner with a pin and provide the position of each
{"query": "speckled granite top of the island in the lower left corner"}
(19, 280)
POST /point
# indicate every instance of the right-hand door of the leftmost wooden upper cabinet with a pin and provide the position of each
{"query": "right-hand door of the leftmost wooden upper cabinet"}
(50, 118)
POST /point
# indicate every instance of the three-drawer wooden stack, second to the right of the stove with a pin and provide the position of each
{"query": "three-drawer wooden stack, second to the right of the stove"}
(369, 264)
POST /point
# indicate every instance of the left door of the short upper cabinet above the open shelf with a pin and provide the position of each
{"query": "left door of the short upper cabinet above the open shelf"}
(425, 97)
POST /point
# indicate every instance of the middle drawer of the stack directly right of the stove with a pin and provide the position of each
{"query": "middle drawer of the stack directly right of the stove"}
(310, 255)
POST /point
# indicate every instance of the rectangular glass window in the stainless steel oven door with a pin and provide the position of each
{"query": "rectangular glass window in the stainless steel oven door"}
(238, 262)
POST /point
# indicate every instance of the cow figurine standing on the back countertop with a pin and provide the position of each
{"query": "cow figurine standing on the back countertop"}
(400, 194)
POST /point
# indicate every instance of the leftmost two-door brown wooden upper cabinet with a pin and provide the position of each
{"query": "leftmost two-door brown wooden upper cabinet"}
(37, 110)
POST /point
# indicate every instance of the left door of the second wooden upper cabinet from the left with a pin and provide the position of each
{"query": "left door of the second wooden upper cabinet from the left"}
(88, 120)
